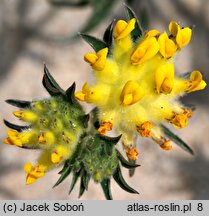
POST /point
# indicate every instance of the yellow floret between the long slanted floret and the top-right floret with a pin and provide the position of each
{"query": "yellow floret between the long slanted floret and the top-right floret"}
(167, 46)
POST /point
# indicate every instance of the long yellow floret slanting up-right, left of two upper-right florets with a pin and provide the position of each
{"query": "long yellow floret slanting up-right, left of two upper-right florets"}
(145, 51)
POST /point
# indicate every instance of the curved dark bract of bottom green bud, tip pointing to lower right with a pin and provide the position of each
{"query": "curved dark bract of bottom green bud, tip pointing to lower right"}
(121, 182)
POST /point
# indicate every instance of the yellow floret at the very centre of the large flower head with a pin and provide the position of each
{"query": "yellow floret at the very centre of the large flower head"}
(131, 93)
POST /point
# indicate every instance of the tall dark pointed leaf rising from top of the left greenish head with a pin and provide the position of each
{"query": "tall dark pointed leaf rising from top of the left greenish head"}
(50, 84)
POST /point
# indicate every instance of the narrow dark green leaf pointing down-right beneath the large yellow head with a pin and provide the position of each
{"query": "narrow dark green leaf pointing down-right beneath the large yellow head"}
(176, 140)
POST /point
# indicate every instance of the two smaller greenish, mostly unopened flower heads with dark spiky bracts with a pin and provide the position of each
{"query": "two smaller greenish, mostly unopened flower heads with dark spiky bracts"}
(66, 136)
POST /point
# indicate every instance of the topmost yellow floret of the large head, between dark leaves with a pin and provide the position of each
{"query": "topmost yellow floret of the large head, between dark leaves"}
(123, 29)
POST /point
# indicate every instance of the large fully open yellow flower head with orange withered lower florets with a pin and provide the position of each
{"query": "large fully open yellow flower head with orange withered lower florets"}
(136, 88)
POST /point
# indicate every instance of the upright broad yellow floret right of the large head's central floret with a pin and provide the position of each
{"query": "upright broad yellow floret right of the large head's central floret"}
(164, 78)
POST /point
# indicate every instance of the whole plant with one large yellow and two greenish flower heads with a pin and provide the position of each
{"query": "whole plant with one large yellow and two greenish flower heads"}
(135, 91)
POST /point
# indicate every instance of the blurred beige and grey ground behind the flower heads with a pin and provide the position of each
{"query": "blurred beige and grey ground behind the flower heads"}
(37, 31)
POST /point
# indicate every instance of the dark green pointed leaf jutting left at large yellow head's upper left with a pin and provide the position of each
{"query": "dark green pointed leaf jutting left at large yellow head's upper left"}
(95, 43)
